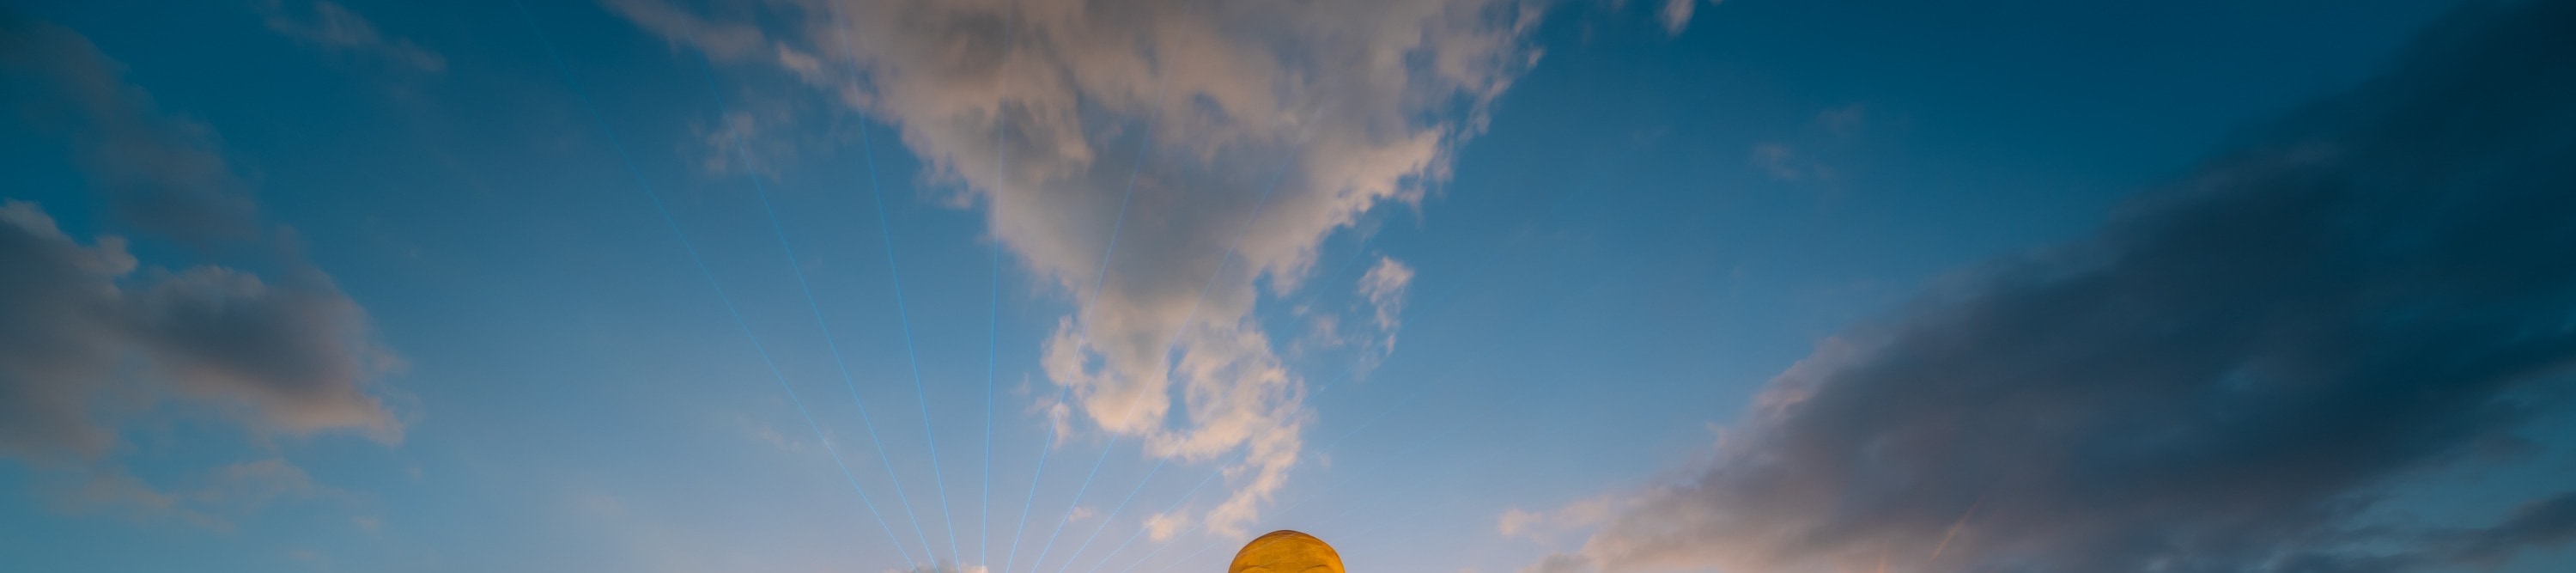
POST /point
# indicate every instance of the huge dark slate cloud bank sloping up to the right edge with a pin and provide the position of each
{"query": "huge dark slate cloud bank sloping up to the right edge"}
(2232, 376)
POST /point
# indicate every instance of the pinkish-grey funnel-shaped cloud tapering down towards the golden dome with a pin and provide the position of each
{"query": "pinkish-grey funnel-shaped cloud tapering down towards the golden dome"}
(1160, 125)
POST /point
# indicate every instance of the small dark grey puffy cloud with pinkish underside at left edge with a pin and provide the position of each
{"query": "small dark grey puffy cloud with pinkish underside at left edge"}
(84, 329)
